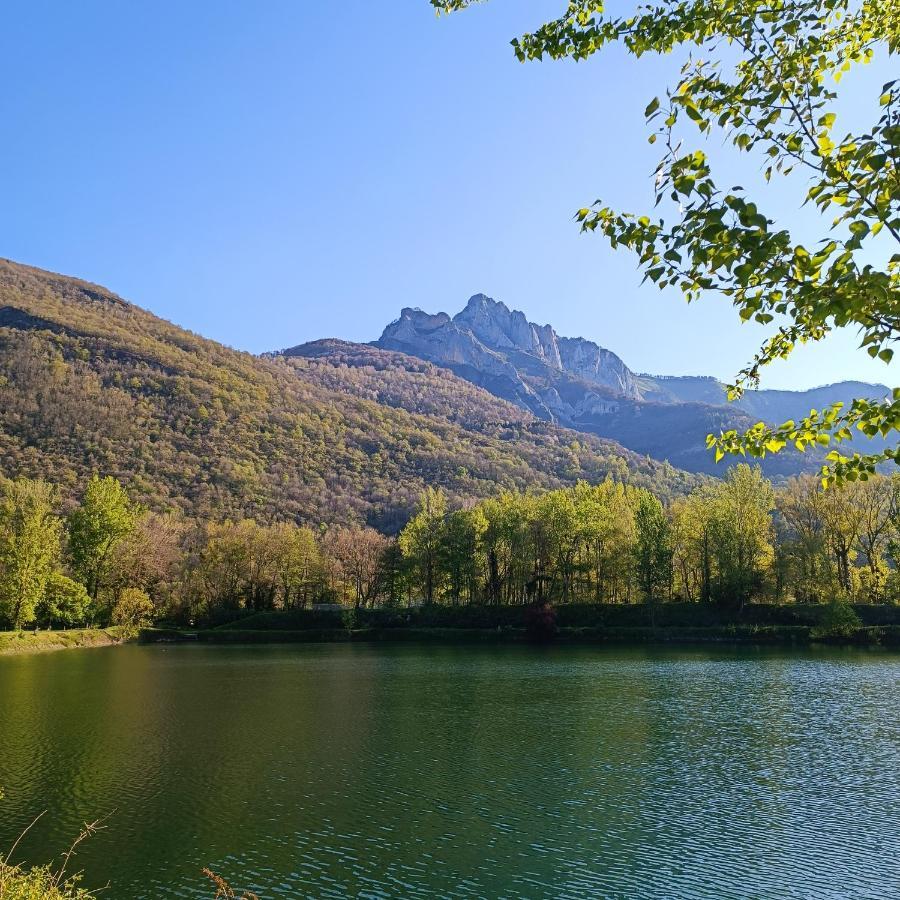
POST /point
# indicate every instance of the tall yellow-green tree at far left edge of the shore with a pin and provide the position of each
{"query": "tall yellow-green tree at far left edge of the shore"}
(30, 533)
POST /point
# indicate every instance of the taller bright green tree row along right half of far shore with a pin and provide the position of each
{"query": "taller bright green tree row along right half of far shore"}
(728, 542)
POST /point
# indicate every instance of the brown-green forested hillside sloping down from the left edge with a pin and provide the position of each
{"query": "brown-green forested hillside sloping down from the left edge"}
(92, 383)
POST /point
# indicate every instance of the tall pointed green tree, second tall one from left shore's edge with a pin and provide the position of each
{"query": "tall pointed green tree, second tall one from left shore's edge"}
(105, 517)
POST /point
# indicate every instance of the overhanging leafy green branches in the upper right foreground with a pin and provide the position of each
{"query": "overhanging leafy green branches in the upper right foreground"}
(764, 76)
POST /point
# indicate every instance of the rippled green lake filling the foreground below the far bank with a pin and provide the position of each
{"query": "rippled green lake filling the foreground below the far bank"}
(383, 771)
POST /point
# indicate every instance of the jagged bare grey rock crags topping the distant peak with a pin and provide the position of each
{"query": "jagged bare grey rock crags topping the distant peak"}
(559, 379)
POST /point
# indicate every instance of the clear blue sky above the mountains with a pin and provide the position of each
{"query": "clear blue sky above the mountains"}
(271, 173)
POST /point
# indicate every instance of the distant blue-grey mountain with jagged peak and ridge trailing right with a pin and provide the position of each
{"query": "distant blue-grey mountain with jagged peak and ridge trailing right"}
(578, 384)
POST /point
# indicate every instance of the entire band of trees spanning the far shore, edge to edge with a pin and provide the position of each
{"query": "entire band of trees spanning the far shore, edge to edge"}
(106, 560)
